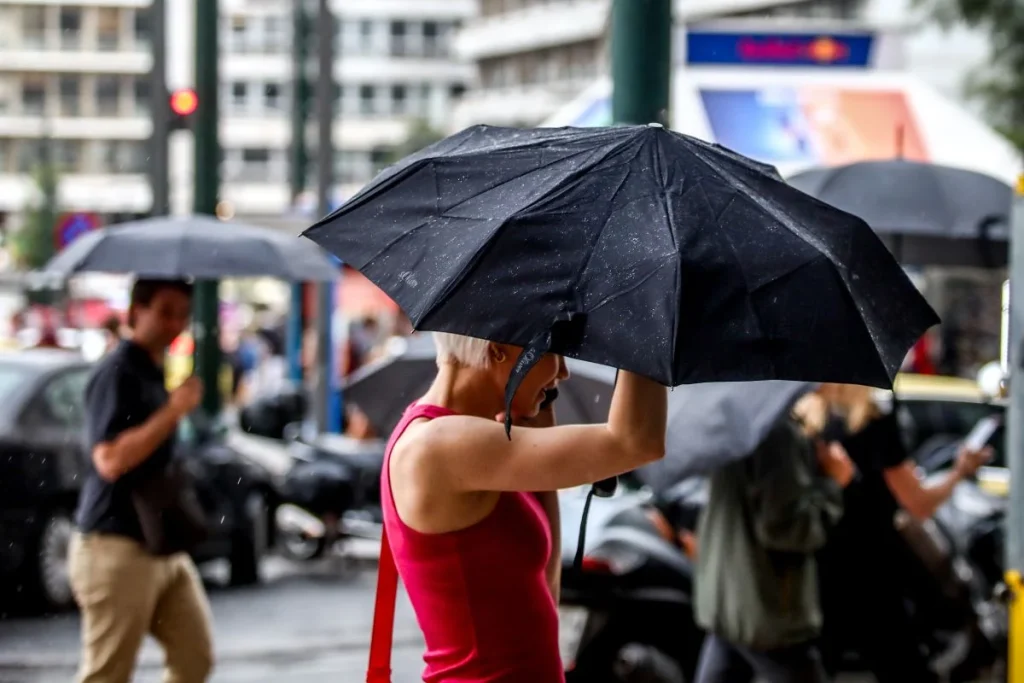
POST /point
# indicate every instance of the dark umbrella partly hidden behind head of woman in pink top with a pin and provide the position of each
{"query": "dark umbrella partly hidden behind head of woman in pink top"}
(383, 390)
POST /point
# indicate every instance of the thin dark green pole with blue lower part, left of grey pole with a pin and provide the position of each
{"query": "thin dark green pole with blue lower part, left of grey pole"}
(297, 177)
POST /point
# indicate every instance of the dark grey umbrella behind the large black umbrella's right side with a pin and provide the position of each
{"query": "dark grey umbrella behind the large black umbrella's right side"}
(928, 215)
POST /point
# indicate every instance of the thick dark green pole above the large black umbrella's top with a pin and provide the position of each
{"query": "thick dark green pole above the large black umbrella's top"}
(642, 61)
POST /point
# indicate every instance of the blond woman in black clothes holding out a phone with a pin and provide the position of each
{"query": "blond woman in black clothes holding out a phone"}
(865, 566)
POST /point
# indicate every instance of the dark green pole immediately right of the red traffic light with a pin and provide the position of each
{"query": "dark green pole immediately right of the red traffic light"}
(207, 173)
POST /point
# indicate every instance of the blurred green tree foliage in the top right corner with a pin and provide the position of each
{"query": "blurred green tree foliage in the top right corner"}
(999, 84)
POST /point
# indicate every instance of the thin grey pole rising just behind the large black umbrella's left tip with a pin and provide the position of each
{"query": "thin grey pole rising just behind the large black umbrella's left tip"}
(328, 396)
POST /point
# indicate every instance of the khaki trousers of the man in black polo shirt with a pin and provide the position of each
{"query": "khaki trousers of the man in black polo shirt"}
(125, 593)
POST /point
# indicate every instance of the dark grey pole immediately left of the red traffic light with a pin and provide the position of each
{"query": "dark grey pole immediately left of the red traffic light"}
(160, 114)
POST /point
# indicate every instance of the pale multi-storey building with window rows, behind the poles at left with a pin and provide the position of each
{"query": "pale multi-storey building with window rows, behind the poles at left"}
(75, 82)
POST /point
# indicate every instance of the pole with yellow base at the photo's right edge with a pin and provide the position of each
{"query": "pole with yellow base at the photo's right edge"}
(1015, 446)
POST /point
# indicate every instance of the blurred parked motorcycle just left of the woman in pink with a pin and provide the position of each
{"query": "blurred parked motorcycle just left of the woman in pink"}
(331, 493)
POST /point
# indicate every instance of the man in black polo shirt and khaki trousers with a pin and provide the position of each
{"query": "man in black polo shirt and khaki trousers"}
(124, 591)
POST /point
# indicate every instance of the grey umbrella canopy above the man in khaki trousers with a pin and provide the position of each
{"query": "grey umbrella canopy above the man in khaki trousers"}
(200, 247)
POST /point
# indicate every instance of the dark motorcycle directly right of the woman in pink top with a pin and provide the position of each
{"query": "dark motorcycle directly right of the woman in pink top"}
(632, 581)
